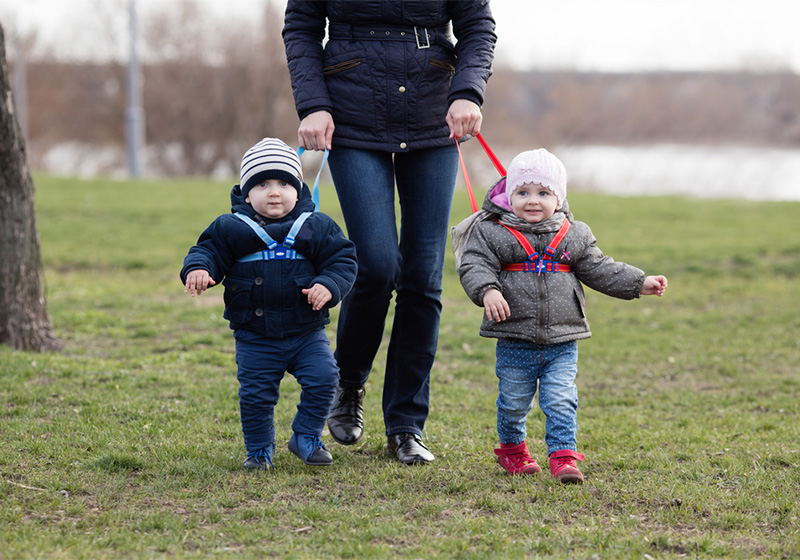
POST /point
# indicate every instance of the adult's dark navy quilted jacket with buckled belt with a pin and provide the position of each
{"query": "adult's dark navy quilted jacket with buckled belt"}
(384, 92)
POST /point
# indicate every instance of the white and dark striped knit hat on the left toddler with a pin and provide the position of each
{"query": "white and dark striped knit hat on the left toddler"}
(270, 159)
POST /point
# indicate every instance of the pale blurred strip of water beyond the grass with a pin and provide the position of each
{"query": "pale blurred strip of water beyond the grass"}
(713, 171)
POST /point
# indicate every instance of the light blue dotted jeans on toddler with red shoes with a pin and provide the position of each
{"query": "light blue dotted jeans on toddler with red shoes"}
(522, 365)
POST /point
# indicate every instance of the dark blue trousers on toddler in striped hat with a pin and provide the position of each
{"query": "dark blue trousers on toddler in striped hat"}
(262, 363)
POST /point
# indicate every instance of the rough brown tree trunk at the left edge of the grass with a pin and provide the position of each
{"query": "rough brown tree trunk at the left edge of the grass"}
(24, 323)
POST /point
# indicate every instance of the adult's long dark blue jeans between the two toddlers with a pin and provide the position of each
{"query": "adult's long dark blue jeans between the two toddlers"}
(409, 263)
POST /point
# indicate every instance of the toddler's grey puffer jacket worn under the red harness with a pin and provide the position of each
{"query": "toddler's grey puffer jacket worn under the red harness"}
(546, 308)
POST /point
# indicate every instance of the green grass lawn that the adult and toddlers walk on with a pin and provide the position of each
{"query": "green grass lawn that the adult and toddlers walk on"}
(128, 444)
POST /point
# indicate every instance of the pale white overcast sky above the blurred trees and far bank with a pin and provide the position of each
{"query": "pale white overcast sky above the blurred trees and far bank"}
(587, 35)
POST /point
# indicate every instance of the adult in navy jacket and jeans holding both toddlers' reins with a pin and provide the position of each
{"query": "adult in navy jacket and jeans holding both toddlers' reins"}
(388, 94)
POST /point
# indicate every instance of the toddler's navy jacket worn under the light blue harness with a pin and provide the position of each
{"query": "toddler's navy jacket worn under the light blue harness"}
(265, 296)
